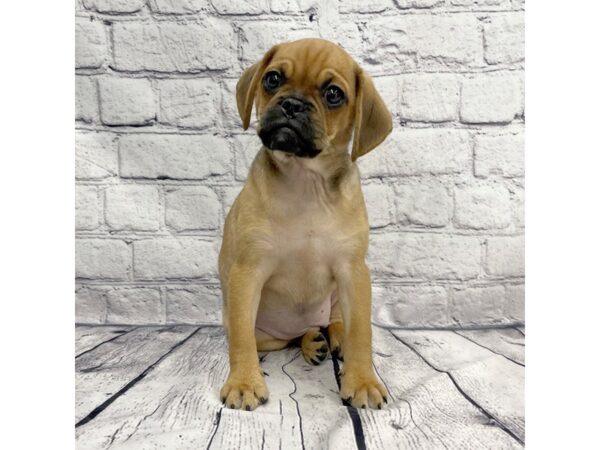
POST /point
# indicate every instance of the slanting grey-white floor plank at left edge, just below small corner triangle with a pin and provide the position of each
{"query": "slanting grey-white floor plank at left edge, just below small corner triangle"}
(101, 373)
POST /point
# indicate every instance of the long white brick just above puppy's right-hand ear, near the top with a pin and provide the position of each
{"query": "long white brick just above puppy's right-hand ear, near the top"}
(435, 39)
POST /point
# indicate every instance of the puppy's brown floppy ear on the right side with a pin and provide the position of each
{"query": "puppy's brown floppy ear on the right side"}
(372, 119)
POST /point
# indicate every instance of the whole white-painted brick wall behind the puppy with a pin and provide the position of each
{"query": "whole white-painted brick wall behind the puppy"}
(160, 153)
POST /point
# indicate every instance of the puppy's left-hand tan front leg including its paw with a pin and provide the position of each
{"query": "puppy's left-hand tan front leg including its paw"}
(245, 387)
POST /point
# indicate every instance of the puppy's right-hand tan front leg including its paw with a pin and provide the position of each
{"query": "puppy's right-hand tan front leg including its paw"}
(359, 384)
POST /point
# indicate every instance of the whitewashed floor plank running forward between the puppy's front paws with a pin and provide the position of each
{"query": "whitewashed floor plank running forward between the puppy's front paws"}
(304, 410)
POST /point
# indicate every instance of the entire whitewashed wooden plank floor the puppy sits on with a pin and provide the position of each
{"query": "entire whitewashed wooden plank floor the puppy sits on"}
(157, 387)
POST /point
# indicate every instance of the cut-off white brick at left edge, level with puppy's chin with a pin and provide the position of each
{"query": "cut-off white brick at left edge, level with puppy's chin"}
(95, 155)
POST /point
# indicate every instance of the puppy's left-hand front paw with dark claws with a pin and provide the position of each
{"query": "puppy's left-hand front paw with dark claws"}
(245, 390)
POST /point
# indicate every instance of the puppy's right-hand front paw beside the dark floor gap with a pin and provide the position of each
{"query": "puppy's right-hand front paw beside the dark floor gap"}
(362, 389)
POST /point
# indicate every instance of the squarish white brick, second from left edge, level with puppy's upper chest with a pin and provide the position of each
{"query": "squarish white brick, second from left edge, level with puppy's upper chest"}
(130, 207)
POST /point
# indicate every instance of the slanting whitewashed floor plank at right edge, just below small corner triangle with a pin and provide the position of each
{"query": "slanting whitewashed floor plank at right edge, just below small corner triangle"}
(492, 382)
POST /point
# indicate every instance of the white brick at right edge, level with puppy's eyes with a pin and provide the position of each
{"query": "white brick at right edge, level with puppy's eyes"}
(490, 98)
